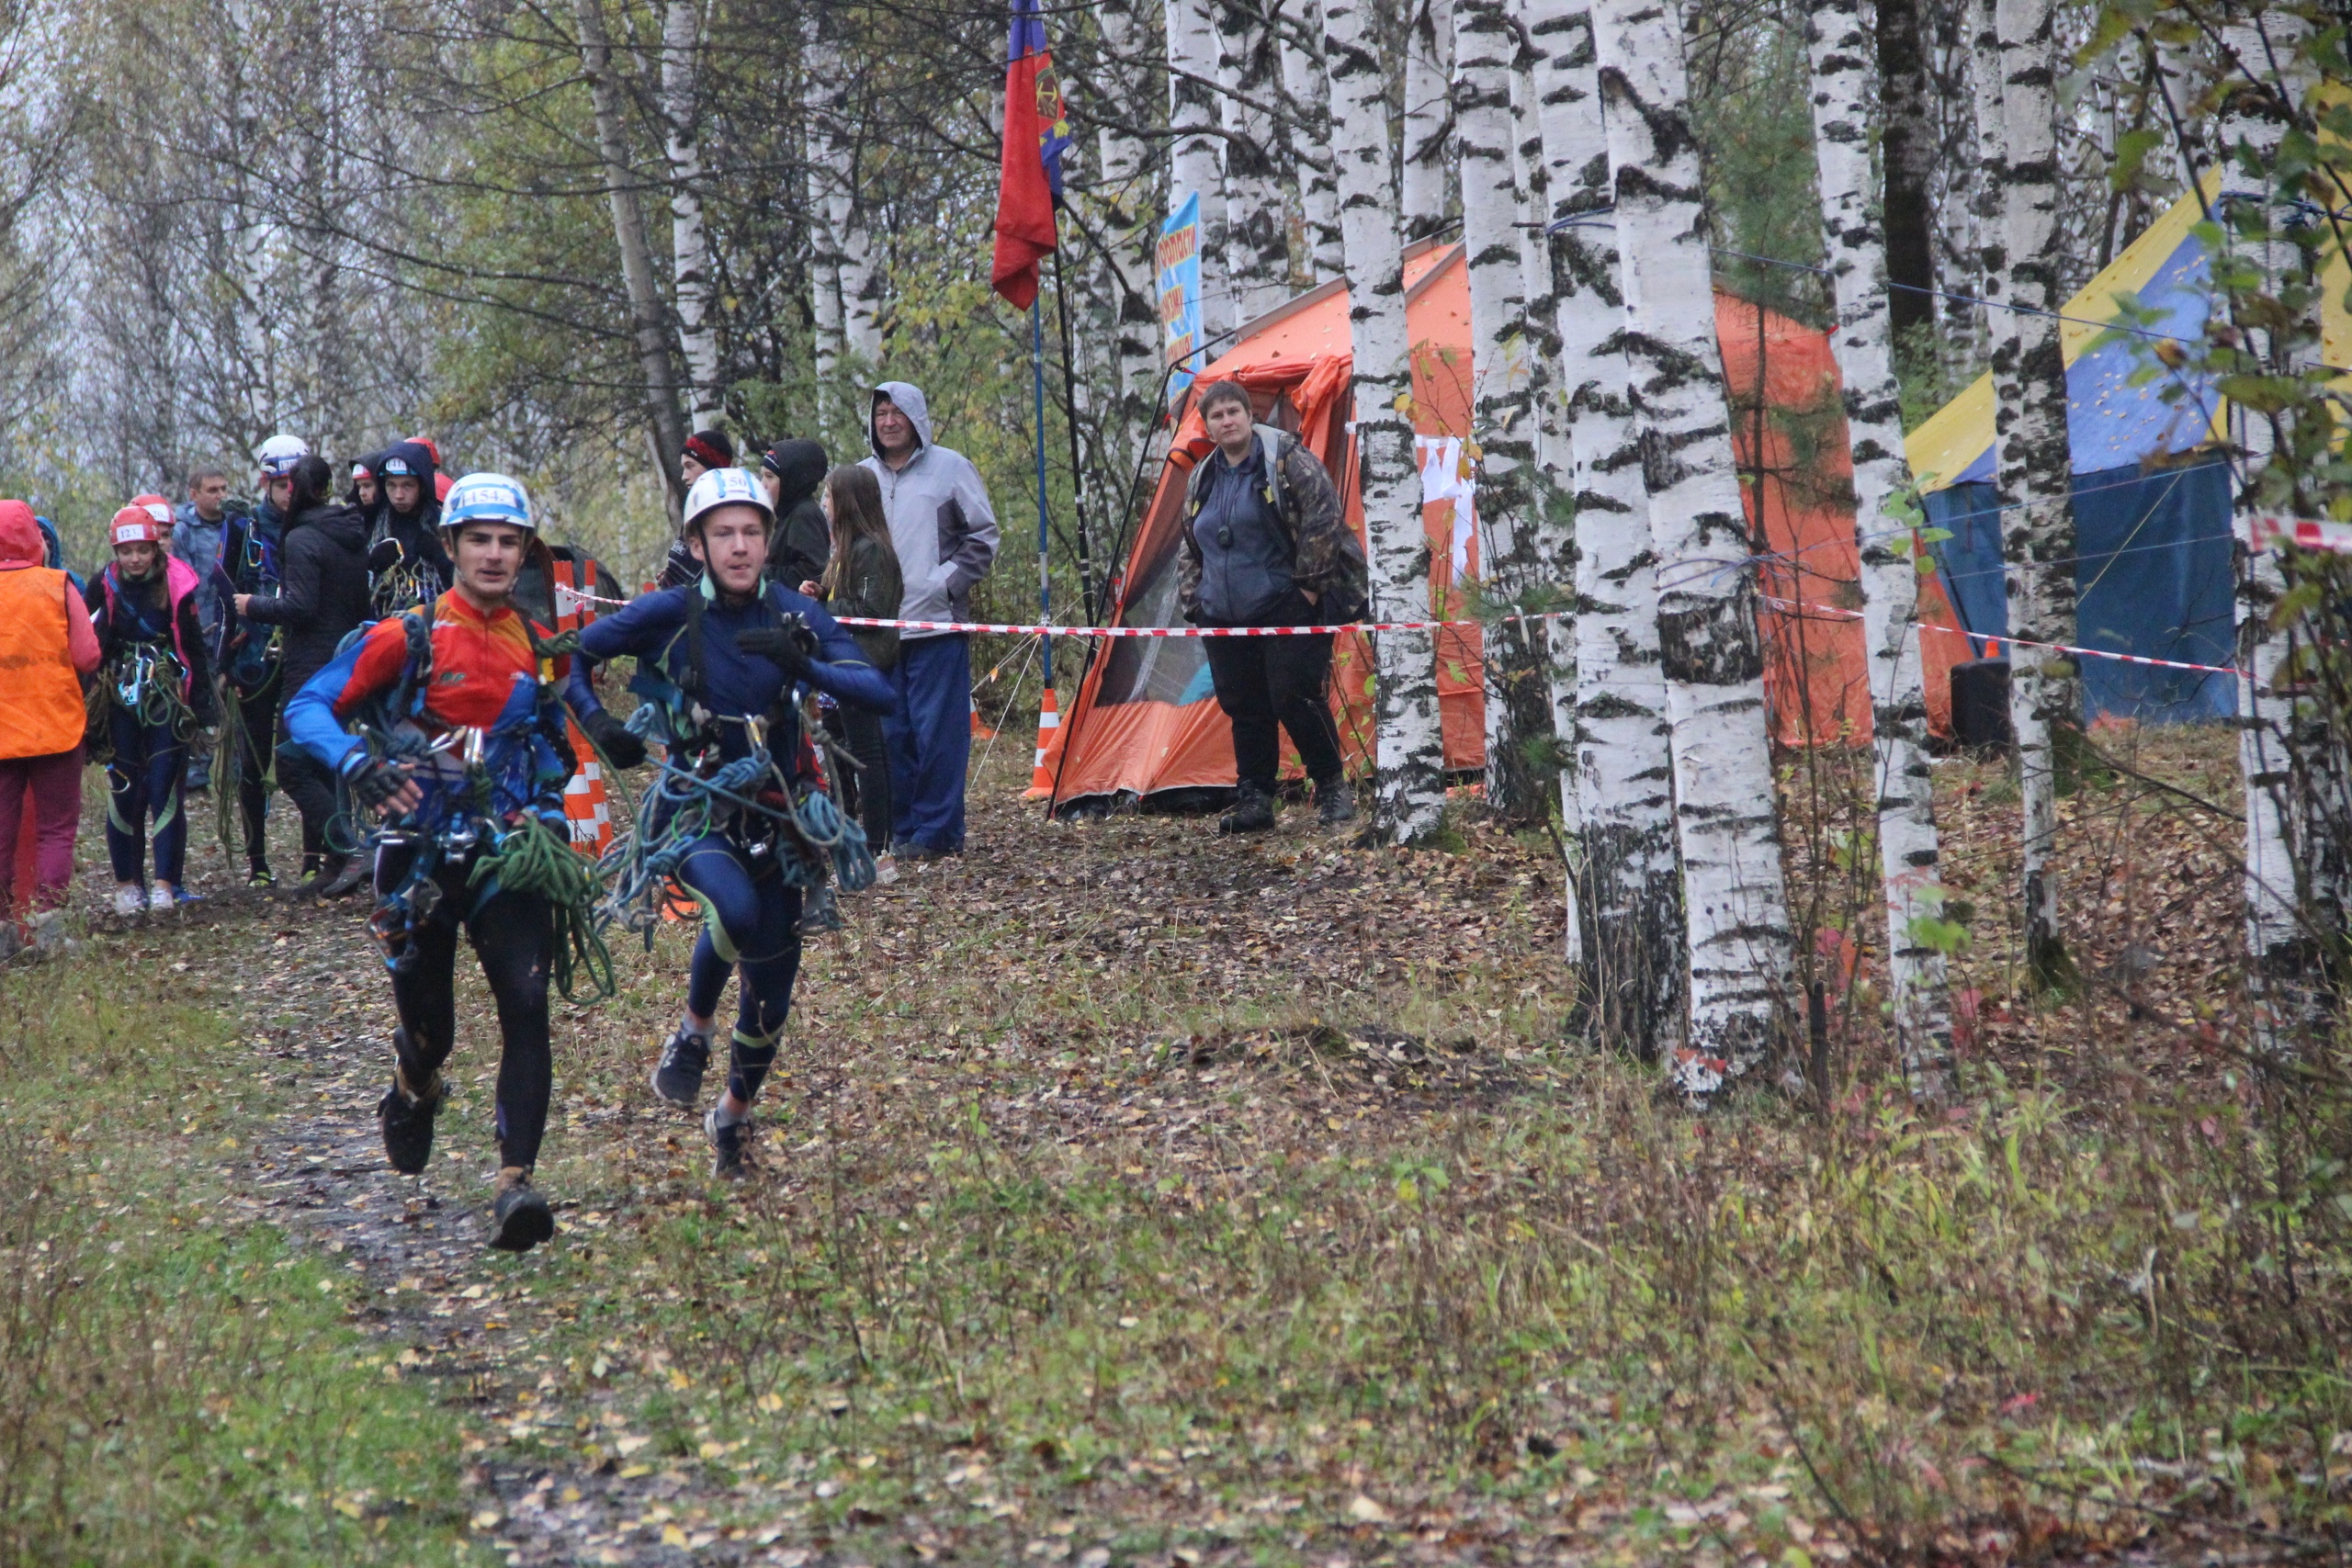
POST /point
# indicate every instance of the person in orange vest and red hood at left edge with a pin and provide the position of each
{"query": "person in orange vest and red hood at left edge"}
(46, 650)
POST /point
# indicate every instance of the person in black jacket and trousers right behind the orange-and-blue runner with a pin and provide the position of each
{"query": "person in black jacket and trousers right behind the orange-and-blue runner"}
(321, 598)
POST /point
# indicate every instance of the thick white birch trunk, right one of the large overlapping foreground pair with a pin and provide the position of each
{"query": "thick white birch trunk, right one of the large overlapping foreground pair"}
(1735, 892)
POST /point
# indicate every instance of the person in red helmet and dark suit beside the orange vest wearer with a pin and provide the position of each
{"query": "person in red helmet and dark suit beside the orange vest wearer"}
(159, 695)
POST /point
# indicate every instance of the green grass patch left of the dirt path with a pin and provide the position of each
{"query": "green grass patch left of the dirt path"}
(175, 1383)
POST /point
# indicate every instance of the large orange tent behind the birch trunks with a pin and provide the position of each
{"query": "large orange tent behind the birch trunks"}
(1147, 723)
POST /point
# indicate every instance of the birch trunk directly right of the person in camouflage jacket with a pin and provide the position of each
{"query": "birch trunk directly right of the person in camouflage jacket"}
(1410, 739)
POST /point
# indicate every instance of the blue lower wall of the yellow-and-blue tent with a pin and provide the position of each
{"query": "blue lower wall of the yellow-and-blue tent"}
(2156, 577)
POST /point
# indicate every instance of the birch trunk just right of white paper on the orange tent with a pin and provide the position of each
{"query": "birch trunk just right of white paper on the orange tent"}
(1502, 408)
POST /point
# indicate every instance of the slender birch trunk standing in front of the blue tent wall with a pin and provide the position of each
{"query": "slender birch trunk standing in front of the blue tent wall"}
(2036, 467)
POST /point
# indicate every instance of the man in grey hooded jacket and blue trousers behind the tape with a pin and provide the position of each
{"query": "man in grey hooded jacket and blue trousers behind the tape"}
(947, 540)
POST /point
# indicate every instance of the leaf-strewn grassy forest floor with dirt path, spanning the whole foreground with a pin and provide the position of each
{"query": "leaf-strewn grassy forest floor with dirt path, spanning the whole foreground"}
(1130, 1195)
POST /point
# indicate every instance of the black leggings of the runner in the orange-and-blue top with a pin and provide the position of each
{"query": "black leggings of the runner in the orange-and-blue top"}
(514, 937)
